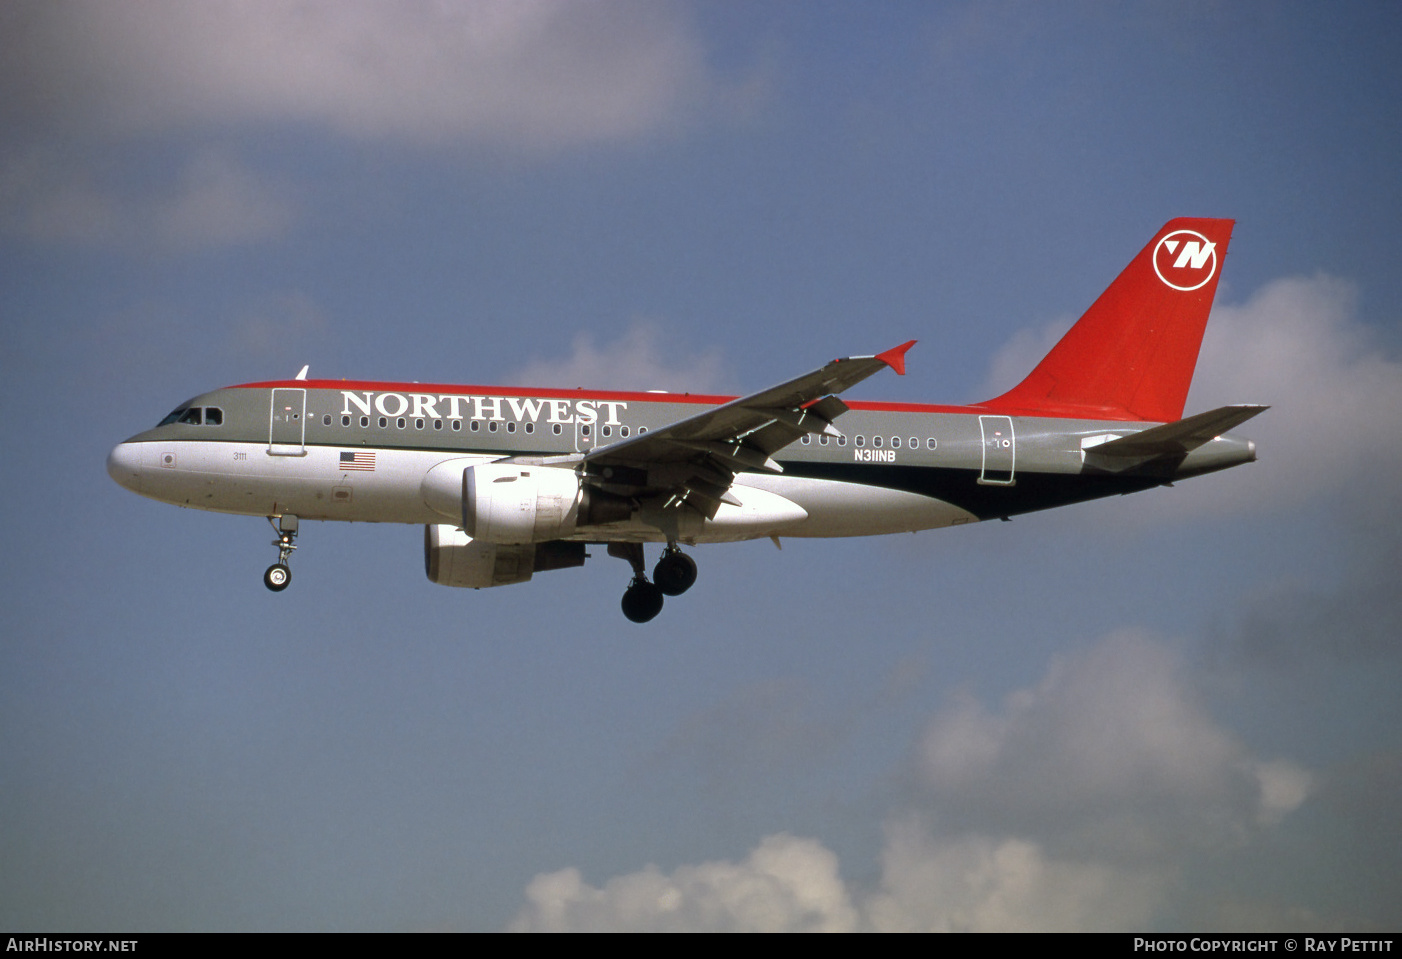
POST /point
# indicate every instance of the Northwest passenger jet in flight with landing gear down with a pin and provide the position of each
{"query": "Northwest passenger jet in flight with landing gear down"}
(510, 483)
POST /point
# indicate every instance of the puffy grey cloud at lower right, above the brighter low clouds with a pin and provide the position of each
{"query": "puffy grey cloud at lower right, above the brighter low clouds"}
(1111, 754)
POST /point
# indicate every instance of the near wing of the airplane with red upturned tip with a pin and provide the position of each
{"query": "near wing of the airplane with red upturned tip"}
(695, 461)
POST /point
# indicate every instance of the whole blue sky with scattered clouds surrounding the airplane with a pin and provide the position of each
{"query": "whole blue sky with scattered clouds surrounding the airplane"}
(1176, 710)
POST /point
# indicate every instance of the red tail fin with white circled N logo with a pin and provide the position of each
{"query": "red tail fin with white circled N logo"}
(1132, 355)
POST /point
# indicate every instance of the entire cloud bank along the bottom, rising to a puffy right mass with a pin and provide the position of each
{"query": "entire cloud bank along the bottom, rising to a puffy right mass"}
(1079, 805)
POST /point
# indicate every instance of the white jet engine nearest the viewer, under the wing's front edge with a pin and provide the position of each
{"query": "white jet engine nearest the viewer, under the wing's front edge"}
(515, 505)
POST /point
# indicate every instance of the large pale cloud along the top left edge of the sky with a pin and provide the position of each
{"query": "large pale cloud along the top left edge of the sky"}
(535, 74)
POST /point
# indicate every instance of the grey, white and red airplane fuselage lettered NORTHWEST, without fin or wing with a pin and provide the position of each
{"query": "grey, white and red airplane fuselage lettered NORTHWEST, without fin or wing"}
(395, 454)
